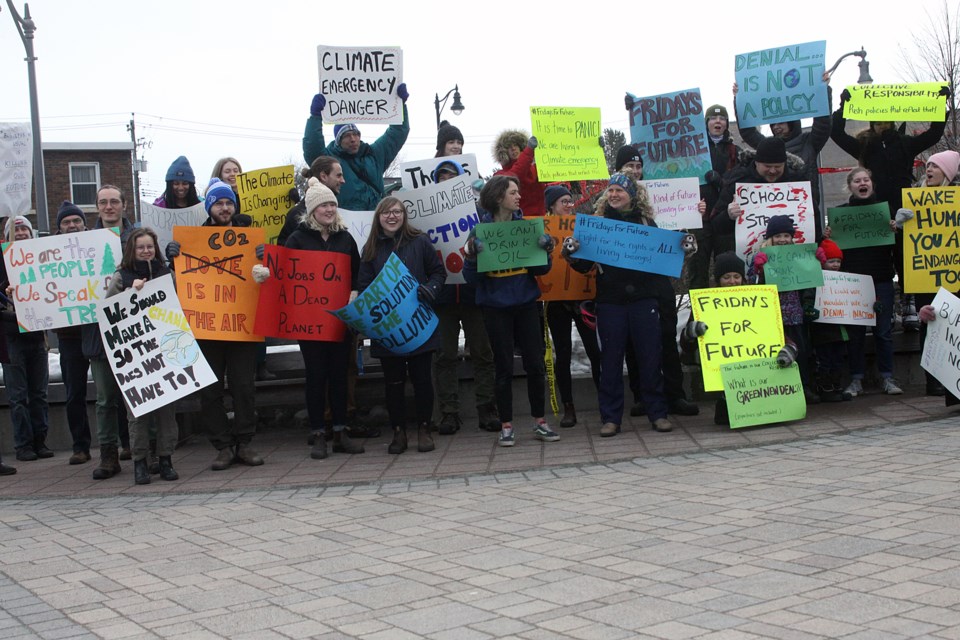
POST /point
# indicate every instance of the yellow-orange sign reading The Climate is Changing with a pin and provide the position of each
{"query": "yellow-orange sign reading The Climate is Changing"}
(264, 195)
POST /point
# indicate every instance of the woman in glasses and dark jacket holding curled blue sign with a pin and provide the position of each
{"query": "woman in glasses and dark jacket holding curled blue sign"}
(392, 233)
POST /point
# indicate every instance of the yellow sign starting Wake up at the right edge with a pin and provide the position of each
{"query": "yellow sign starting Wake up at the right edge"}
(931, 239)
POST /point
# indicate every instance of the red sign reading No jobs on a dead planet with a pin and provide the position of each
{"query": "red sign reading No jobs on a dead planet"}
(302, 285)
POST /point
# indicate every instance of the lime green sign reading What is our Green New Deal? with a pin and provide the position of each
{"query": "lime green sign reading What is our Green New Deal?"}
(761, 392)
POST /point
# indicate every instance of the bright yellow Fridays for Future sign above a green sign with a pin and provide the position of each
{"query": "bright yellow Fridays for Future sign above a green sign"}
(743, 323)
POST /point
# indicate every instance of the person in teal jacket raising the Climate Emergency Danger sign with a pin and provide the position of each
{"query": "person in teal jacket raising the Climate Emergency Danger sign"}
(363, 164)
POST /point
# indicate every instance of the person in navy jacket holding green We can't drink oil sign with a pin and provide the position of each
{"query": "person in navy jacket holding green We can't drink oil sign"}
(511, 313)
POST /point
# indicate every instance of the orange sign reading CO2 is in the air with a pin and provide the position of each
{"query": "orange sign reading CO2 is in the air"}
(214, 281)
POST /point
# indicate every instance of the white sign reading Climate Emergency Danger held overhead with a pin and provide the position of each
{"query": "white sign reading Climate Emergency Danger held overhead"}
(360, 84)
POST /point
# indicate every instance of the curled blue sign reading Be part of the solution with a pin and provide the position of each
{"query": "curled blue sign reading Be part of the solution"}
(389, 311)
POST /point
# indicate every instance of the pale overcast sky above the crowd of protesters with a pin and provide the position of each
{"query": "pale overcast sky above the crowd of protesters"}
(209, 79)
